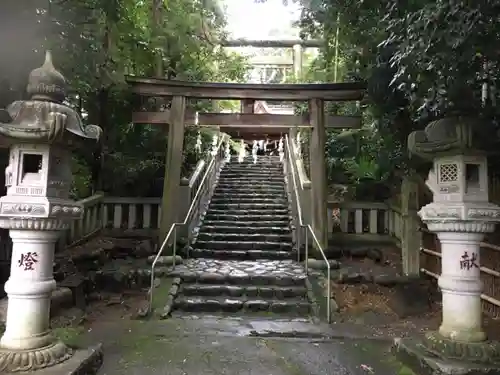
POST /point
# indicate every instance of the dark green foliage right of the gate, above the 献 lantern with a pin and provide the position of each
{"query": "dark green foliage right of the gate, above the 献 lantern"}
(422, 60)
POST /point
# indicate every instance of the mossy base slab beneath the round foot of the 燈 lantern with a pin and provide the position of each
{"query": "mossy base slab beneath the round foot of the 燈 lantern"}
(83, 362)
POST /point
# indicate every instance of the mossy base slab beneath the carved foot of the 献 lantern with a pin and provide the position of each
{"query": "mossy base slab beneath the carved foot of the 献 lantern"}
(413, 354)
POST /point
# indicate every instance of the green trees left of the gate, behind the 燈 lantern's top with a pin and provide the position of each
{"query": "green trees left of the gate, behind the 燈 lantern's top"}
(95, 44)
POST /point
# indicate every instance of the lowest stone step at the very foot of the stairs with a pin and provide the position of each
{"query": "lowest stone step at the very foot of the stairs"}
(241, 304)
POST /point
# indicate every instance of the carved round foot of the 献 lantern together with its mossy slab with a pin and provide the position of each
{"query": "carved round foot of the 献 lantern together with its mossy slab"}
(434, 354)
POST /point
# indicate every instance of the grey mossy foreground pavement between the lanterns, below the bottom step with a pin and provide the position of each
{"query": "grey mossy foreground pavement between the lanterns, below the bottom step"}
(233, 346)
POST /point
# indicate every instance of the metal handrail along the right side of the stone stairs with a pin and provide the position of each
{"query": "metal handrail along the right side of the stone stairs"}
(310, 229)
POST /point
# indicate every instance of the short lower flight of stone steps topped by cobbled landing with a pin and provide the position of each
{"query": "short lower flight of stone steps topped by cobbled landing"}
(229, 286)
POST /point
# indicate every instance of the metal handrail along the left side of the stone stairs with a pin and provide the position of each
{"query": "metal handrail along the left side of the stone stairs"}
(173, 228)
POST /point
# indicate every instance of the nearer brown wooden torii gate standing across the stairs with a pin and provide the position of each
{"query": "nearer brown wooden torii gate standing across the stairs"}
(245, 125)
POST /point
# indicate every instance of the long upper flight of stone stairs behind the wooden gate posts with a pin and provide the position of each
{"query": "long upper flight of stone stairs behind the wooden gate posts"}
(248, 217)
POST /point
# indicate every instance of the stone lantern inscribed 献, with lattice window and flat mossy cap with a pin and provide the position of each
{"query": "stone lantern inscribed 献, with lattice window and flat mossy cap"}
(461, 216)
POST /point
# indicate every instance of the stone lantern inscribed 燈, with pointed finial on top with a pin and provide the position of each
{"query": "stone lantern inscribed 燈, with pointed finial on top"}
(36, 210)
